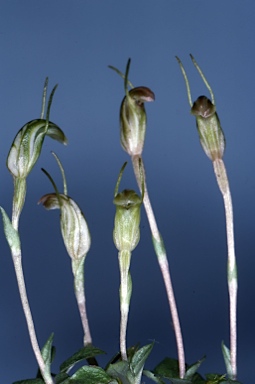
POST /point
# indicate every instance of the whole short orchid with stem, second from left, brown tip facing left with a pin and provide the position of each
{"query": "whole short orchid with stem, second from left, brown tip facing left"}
(77, 240)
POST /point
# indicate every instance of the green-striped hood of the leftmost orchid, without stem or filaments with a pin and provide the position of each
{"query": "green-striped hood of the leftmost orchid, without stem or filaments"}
(27, 145)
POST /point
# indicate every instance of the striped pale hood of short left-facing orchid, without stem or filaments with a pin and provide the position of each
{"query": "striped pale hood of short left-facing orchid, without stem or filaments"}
(74, 228)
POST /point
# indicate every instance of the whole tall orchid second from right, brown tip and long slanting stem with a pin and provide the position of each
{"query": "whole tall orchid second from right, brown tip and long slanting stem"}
(132, 136)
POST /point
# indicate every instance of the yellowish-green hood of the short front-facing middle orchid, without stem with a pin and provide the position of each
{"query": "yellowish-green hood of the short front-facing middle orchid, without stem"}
(126, 233)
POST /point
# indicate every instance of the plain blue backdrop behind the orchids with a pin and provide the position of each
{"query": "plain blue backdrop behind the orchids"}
(73, 42)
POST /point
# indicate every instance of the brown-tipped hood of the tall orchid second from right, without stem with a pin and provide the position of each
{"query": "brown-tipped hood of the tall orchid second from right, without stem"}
(133, 119)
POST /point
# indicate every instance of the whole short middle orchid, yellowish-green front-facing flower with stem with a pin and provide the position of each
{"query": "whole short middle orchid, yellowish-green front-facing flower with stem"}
(126, 235)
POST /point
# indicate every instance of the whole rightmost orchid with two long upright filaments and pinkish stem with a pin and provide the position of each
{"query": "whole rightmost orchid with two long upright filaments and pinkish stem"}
(213, 142)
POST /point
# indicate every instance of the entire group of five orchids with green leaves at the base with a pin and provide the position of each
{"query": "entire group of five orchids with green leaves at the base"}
(129, 365)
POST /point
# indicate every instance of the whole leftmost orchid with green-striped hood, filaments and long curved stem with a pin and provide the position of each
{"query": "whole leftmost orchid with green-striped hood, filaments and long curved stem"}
(24, 153)
